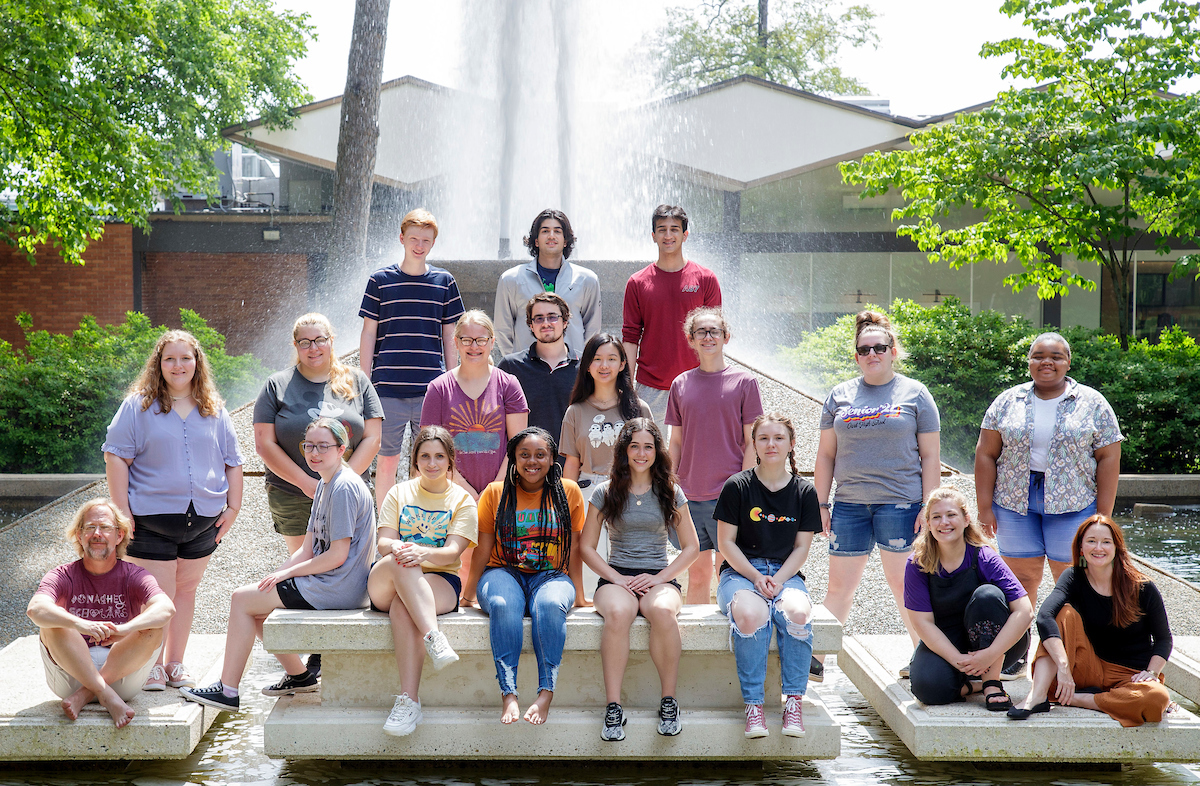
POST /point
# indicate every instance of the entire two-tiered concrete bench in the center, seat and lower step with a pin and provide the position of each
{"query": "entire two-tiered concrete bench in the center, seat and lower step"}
(461, 705)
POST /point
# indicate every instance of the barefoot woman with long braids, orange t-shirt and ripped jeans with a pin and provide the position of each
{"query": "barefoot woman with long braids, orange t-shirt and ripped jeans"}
(529, 562)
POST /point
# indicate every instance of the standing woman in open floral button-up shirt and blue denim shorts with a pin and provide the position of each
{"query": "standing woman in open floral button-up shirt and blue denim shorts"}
(1049, 457)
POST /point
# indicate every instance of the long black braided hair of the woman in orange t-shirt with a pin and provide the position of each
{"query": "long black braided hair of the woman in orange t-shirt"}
(554, 497)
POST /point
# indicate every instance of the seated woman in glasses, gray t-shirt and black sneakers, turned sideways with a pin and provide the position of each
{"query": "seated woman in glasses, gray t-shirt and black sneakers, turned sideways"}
(328, 572)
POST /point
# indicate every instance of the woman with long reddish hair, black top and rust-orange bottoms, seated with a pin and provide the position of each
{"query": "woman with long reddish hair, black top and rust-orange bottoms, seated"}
(1105, 635)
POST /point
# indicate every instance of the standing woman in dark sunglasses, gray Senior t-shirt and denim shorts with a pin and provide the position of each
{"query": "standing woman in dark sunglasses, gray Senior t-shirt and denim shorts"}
(880, 442)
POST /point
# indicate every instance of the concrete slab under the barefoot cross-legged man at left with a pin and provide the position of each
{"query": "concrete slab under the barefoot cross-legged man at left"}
(33, 727)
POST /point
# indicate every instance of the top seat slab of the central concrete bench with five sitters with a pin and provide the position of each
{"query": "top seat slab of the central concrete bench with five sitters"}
(703, 628)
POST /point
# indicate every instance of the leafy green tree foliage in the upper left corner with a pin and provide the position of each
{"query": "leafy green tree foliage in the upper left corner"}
(109, 105)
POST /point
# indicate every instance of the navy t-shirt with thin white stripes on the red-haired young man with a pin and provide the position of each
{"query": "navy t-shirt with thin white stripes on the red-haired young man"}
(411, 311)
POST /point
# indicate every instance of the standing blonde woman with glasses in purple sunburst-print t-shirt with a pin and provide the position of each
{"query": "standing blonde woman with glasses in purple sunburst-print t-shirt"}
(483, 409)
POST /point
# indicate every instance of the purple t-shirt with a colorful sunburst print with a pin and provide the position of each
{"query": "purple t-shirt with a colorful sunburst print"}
(481, 439)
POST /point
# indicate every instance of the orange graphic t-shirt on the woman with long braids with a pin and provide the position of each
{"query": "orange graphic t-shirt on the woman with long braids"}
(533, 556)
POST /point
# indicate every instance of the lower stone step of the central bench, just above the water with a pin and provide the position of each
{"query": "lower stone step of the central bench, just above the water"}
(299, 728)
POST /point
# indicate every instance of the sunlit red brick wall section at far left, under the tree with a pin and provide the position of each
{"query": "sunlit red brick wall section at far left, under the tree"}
(59, 296)
